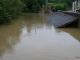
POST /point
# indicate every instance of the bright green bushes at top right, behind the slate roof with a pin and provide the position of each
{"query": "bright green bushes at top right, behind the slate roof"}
(60, 4)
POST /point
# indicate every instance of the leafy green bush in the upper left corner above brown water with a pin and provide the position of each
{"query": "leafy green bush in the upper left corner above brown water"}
(10, 9)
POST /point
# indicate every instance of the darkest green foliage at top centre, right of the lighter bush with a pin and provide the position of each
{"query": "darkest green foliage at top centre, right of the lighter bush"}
(33, 5)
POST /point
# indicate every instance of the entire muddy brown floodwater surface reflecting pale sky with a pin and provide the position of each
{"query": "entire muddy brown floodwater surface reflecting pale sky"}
(31, 37)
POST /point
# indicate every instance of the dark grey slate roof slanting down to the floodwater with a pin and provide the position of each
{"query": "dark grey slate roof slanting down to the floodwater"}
(59, 19)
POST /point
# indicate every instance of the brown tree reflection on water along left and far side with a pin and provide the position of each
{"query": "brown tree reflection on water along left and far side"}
(11, 34)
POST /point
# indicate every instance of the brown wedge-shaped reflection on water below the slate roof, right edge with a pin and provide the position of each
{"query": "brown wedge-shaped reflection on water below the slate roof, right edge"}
(72, 31)
